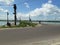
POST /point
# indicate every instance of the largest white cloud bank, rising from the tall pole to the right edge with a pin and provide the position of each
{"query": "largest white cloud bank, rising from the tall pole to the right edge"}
(46, 9)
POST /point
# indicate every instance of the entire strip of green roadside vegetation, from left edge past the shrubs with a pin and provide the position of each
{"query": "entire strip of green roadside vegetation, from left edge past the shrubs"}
(21, 24)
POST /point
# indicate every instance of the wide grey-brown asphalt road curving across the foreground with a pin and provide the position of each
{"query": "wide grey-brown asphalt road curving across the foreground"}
(23, 36)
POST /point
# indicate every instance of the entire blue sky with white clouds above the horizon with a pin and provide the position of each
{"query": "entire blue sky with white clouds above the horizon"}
(37, 9)
